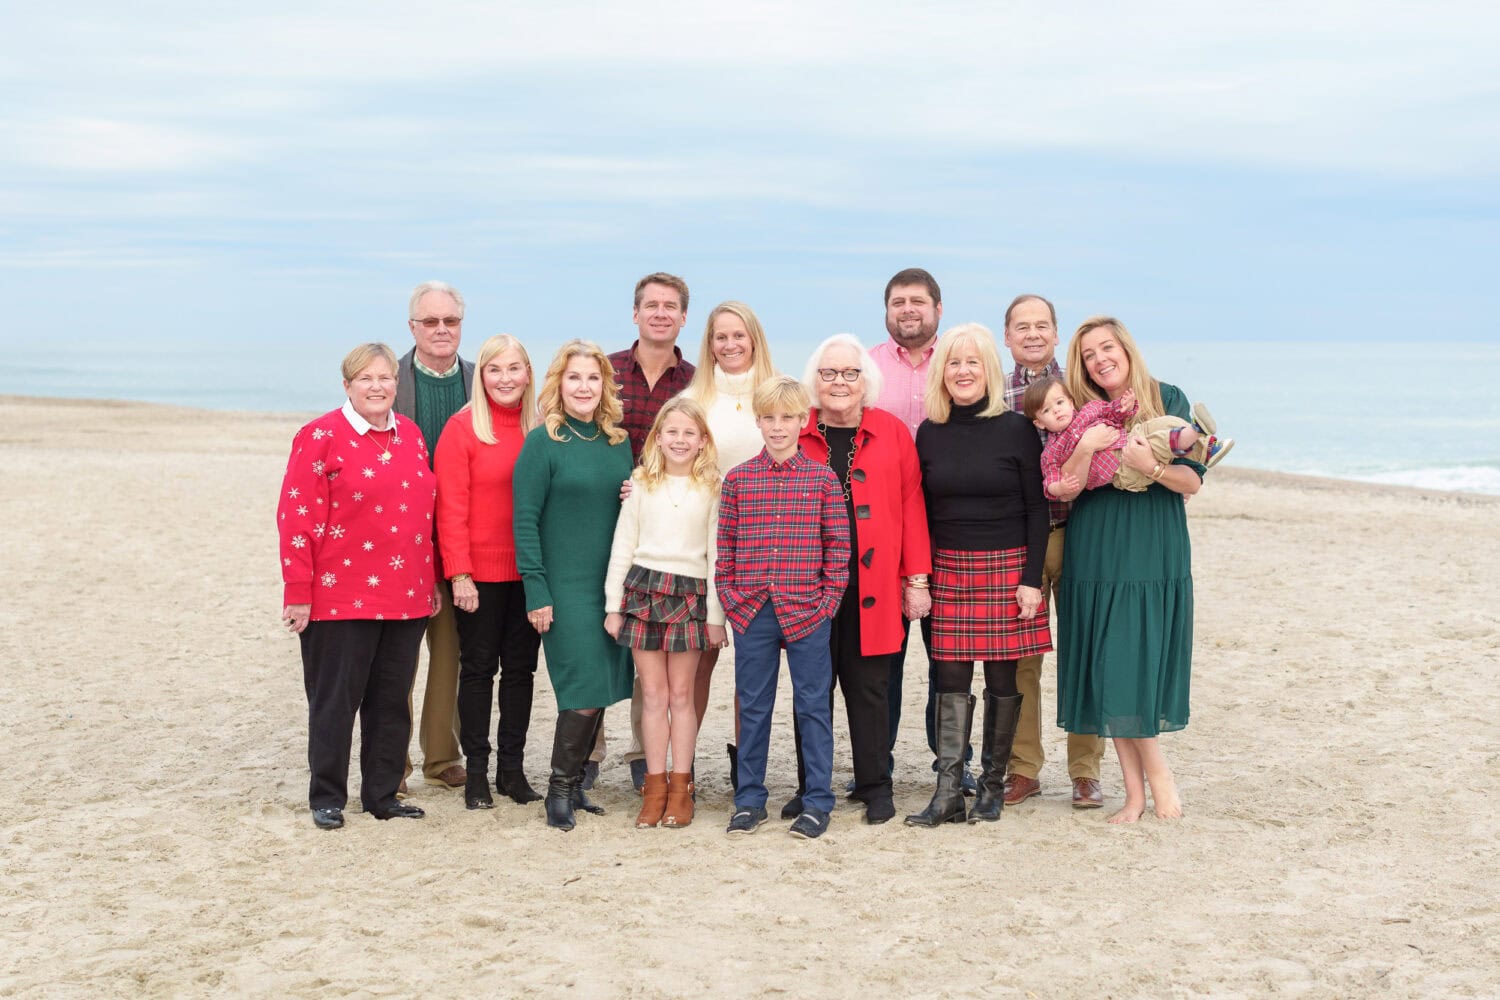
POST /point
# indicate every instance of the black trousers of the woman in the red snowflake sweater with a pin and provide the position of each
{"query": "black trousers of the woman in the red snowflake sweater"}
(361, 668)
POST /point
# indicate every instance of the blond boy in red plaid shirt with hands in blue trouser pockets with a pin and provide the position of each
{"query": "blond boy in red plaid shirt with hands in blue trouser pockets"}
(784, 564)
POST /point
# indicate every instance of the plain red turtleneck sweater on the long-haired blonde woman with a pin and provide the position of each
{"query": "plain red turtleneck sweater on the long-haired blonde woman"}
(475, 500)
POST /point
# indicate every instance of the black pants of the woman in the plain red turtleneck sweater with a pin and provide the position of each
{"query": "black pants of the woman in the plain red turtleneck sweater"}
(496, 638)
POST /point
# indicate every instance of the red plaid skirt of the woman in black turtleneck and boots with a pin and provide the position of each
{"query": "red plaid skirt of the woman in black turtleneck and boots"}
(976, 615)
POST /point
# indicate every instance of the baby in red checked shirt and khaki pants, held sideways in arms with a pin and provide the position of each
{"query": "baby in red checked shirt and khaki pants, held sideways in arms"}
(1051, 409)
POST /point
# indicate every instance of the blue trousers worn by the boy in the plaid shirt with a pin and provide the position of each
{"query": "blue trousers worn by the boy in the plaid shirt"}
(758, 663)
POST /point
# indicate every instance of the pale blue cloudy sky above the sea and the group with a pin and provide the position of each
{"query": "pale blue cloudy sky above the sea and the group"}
(274, 179)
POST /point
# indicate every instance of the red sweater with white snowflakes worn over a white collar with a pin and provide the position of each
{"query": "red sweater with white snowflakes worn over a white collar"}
(356, 531)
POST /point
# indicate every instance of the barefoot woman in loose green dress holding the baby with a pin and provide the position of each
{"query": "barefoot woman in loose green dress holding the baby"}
(1126, 600)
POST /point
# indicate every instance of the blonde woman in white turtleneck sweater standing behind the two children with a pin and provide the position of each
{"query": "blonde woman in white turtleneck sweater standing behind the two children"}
(734, 361)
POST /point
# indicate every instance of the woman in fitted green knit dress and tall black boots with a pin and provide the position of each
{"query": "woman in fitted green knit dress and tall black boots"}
(568, 500)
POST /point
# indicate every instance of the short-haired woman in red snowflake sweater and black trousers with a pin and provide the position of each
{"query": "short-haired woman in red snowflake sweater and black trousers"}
(356, 545)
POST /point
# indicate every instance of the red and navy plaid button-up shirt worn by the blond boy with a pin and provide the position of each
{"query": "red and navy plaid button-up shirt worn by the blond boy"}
(784, 537)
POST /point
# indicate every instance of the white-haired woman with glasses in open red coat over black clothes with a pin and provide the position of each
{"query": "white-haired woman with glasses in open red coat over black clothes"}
(874, 457)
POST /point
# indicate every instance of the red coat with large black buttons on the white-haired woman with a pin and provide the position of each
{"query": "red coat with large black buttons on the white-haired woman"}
(890, 527)
